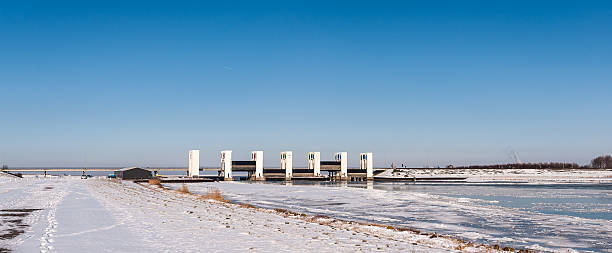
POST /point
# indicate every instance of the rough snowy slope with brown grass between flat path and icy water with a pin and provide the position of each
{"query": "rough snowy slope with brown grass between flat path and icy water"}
(208, 225)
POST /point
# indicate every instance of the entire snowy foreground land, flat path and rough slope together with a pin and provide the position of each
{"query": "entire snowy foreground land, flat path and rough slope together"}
(99, 215)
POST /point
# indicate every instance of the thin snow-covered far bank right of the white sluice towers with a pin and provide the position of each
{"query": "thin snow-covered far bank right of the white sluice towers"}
(509, 175)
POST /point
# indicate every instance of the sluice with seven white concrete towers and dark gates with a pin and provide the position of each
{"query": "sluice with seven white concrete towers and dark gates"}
(336, 169)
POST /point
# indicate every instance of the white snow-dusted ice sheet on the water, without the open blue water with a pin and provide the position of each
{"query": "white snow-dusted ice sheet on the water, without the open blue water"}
(467, 218)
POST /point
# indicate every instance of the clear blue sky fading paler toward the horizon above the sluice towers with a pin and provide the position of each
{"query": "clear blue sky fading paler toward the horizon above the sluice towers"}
(111, 83)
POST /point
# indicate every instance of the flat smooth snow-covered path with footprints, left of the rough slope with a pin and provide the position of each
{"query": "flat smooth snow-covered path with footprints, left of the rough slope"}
(70, 219)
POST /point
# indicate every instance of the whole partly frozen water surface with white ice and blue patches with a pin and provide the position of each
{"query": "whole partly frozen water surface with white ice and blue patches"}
(558, 218)
